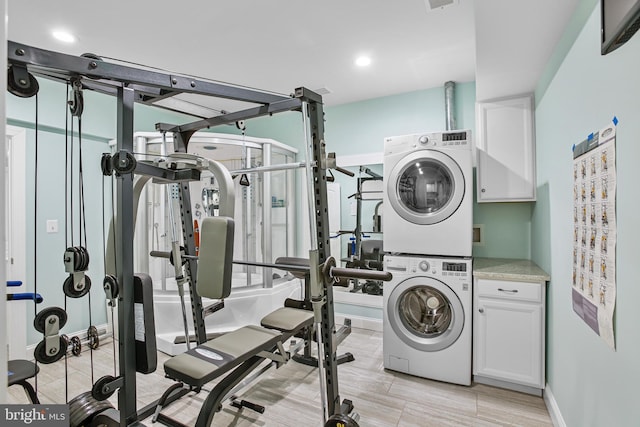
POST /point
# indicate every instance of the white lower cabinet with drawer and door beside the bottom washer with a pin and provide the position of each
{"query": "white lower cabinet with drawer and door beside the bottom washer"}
(509, 334)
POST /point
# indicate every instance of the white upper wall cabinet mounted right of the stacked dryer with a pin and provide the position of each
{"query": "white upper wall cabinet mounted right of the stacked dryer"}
(506, 150)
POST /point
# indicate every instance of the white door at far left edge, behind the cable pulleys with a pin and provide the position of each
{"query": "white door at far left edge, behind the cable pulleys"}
(15, 250)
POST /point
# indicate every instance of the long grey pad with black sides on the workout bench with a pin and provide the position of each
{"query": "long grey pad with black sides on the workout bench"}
(208, 361)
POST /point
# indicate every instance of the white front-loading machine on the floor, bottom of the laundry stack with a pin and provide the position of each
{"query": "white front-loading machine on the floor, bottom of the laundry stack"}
(427, 317)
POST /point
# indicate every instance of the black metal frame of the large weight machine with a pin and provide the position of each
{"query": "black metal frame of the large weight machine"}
(131, 85)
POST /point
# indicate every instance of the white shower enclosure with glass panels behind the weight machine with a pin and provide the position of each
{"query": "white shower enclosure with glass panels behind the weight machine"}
(264, 229)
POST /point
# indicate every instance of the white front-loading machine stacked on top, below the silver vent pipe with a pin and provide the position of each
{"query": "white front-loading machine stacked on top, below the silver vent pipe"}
(428, 197)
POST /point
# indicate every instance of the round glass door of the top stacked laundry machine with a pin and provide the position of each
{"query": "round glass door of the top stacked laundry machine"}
(426, 187)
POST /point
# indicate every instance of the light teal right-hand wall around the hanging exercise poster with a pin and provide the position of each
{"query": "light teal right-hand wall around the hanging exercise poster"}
(592, 384)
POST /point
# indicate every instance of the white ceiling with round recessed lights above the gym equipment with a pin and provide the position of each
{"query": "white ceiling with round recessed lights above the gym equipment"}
(279, 45)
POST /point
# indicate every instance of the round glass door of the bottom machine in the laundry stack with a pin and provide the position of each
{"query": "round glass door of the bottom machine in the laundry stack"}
(425, 313)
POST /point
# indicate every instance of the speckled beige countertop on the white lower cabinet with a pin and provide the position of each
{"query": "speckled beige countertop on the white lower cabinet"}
(521, 270)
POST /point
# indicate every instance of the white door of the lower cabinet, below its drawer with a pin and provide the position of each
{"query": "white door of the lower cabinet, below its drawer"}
(508, 341)
